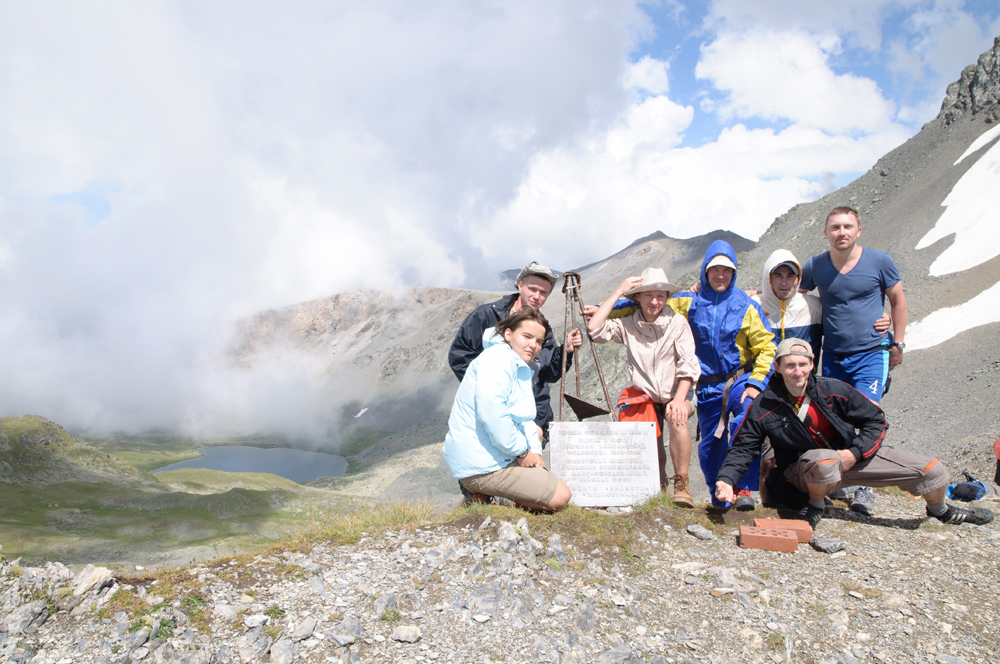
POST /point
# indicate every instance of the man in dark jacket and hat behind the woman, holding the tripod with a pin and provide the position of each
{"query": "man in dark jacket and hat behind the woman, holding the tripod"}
(534, 284)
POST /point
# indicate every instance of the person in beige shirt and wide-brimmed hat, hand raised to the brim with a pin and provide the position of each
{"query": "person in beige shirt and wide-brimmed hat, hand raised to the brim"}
(661, 363)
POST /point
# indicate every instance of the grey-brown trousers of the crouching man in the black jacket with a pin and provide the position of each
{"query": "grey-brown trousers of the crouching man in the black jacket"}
(915, 473)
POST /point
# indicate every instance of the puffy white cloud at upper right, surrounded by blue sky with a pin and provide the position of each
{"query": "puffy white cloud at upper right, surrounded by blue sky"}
(785, 76)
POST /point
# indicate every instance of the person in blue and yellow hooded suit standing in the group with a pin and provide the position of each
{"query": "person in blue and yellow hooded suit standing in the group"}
(735, 346)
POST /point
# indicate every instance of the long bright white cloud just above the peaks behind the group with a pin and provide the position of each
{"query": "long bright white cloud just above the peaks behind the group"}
(635, 179)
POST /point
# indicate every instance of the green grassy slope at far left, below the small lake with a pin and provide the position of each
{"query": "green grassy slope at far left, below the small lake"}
(63, 499)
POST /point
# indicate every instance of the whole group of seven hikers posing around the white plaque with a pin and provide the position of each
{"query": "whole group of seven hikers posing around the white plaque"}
(767, 420)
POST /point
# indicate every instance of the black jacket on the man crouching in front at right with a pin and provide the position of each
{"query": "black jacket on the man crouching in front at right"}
(858, 423)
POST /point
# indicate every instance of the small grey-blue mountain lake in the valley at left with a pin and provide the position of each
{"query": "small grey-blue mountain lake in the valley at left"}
(296, 465)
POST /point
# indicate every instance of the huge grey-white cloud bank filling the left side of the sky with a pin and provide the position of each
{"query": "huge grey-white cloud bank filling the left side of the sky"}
(165, 169)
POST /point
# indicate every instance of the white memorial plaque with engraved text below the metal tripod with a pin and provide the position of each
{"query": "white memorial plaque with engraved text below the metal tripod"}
(605, 464)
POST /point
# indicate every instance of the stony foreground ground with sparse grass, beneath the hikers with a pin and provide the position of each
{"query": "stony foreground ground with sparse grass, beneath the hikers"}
(492, 584)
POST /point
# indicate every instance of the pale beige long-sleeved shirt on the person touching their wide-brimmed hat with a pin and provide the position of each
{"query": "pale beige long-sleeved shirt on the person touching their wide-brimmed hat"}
(659, 353)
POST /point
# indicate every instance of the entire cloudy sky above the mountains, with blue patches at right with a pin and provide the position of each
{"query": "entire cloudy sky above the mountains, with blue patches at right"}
(169, 167)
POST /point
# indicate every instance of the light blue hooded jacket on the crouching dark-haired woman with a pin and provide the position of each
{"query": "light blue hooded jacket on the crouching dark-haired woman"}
(493, 418)
